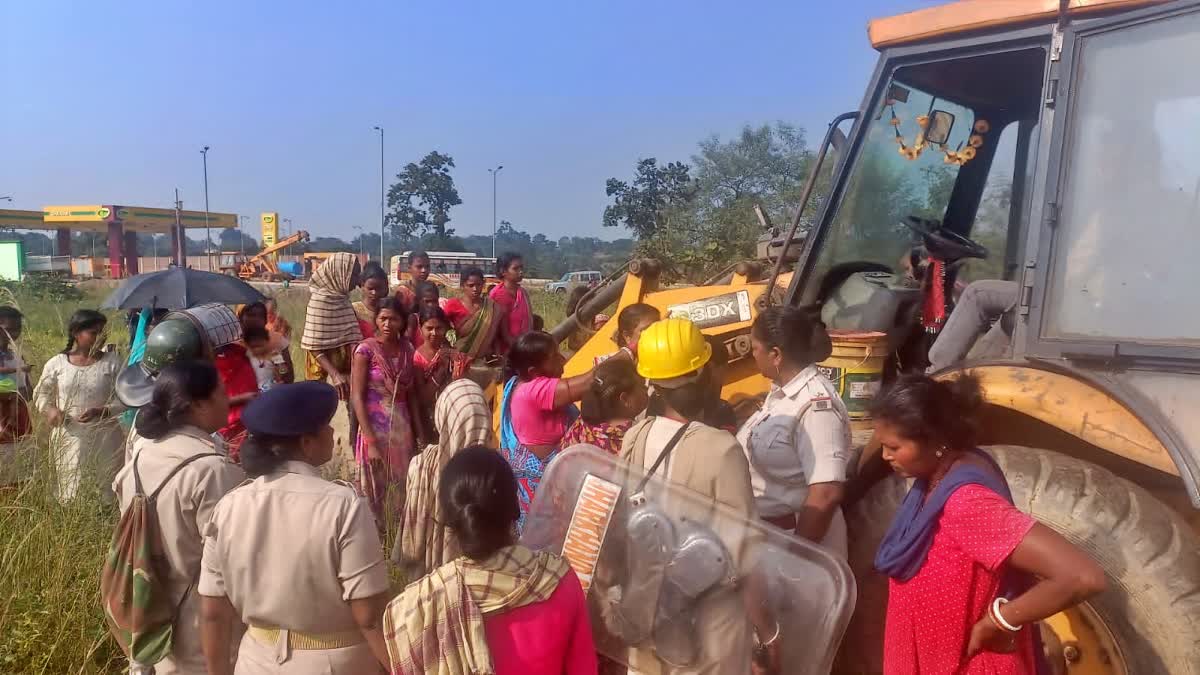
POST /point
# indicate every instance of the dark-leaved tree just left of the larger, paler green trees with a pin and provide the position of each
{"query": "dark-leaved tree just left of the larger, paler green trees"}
(647, 205)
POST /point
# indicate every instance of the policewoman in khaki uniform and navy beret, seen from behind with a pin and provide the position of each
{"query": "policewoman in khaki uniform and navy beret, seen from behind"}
(297, 558)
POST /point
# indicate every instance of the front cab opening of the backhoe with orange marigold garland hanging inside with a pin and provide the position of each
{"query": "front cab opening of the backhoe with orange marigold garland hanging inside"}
(964, 184)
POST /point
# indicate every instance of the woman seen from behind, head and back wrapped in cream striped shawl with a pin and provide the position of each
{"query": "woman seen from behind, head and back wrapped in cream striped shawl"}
(463, 420)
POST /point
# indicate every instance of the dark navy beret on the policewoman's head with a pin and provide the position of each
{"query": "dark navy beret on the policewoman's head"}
(291, 410)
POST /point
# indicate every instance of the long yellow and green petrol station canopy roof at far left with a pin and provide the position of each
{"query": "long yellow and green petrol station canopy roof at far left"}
(99, 217)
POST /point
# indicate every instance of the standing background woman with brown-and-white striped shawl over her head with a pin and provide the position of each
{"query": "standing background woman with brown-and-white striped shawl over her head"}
(331, 326)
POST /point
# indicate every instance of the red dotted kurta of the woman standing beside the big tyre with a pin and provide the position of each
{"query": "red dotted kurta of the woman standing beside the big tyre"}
(931, 617)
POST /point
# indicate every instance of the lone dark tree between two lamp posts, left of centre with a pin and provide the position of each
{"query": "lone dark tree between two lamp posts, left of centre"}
(422, 198)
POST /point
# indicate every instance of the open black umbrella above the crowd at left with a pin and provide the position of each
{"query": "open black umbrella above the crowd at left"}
(179, 289)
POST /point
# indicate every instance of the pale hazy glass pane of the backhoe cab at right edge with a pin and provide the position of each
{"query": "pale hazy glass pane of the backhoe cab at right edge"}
(1125, 249)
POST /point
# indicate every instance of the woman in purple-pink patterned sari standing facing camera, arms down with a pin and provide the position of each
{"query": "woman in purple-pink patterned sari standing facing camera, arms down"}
(383, 390)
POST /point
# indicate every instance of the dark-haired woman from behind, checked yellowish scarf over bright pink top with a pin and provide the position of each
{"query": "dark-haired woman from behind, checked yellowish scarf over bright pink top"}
(501, 608)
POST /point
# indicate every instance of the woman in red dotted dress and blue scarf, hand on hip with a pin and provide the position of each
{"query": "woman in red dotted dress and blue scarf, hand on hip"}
(970, 576)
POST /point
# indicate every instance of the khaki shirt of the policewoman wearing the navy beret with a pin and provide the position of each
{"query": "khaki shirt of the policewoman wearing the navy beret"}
(291, 549)
